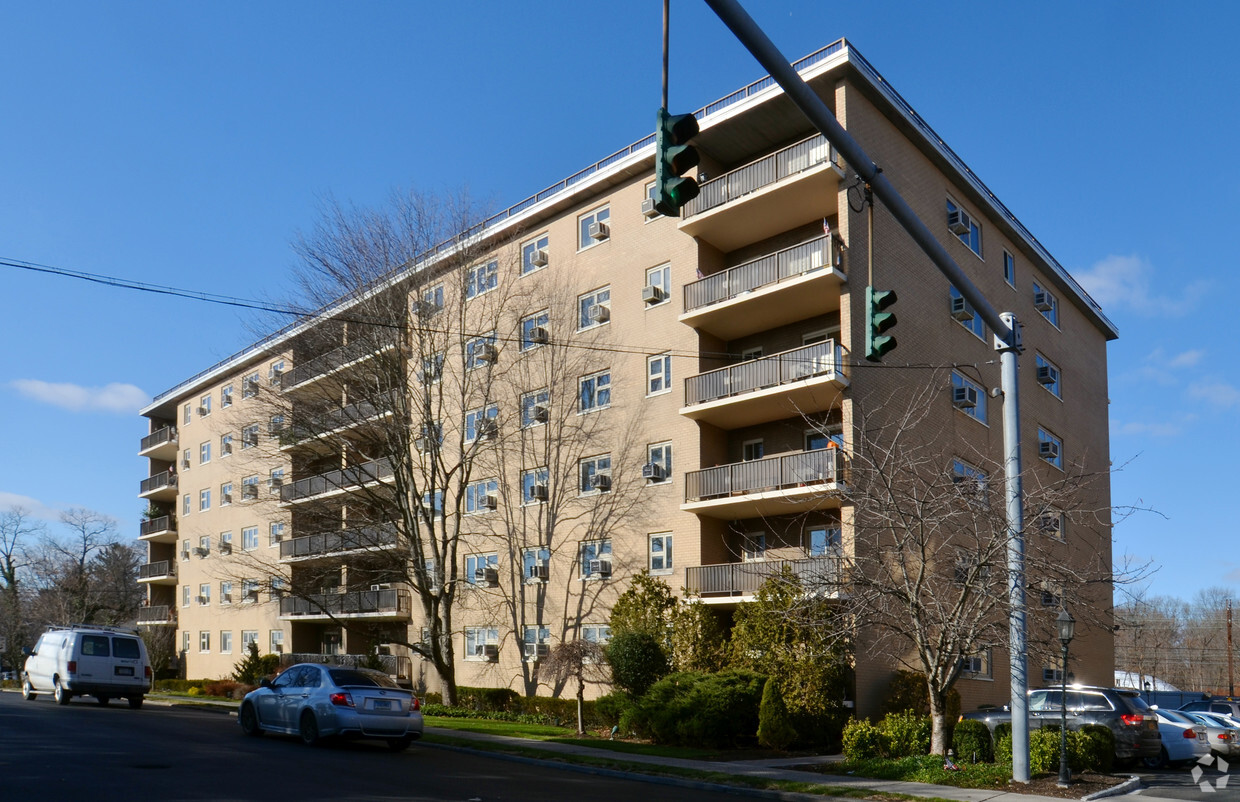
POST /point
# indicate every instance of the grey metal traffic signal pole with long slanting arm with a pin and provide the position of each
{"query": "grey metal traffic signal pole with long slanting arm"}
(810, 105)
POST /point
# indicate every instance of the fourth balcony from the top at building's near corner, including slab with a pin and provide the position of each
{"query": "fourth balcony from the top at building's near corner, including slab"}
(774, 487)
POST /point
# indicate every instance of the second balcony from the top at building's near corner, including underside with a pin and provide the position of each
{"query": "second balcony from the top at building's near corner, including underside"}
(777, 289)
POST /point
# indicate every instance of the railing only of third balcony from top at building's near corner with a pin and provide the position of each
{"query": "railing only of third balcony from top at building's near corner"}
(781, 369)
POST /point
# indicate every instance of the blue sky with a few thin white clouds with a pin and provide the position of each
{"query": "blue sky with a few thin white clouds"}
(187, 144)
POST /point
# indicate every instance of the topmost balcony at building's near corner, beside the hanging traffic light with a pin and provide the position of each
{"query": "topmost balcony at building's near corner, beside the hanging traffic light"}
(779, 193)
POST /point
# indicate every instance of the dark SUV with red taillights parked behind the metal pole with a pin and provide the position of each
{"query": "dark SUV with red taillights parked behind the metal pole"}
(1125, 712)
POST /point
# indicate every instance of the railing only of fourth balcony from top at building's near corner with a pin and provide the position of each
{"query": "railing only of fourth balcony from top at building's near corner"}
(756, 477)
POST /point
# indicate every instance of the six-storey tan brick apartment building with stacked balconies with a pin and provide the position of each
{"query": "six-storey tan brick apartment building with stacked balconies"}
(588, 390)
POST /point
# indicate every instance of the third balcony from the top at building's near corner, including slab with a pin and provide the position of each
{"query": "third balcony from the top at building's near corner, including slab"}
(802, 381)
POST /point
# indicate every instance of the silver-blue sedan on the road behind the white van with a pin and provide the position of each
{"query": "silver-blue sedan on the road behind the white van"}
(318, 702)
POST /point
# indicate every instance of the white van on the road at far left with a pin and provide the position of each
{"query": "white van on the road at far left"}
(104, 663)
